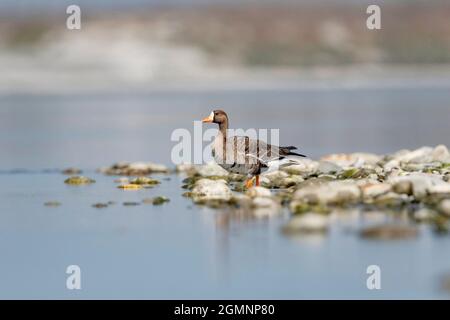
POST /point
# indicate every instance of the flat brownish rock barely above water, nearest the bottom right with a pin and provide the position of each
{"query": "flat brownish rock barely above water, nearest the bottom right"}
(389, 232)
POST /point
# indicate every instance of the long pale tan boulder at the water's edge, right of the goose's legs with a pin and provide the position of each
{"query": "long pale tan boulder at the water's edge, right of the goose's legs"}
(333, 192)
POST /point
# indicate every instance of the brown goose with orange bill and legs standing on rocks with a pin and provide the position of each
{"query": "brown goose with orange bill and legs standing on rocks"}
(242, 155)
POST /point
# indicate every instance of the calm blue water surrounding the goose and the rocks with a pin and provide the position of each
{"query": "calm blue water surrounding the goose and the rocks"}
(179, 250)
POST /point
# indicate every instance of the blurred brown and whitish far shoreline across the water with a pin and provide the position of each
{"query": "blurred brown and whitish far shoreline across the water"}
(301, 46)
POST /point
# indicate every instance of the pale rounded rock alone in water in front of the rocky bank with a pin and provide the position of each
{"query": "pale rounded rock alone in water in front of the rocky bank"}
(307, 223)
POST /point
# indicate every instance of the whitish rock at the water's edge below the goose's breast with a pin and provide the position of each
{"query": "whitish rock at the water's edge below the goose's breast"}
(206, 189)
